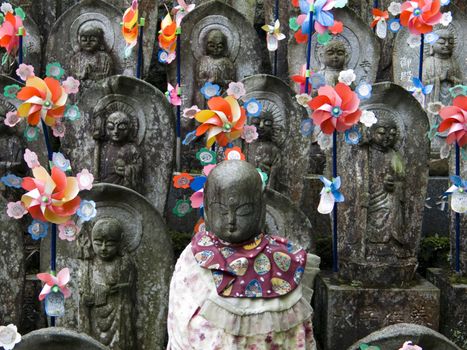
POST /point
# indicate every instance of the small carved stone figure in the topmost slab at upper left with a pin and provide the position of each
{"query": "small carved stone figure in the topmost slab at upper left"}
(91, 62)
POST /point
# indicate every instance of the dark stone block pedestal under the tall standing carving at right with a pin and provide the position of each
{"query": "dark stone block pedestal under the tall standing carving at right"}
(345, 313)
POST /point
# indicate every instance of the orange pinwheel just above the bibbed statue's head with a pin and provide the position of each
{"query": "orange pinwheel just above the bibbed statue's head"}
(223, 122)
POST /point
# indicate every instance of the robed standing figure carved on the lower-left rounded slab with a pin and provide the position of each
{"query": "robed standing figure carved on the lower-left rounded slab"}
(108, 292)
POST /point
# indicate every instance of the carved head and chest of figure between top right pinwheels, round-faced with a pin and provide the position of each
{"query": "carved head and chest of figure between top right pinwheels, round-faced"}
(334, 58)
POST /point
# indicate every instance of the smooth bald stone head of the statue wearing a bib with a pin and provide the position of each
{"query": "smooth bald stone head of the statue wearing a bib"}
(233, 201)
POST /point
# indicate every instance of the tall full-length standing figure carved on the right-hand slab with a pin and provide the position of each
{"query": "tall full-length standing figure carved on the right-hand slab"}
(386, 233)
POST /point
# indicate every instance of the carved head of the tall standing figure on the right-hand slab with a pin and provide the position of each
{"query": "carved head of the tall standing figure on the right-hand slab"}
(383, 135)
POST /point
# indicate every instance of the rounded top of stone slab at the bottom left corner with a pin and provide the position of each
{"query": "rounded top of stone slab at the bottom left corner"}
(58, 339)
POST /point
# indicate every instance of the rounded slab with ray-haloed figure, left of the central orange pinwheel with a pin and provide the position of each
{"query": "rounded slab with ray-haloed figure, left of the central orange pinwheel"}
(140, 156)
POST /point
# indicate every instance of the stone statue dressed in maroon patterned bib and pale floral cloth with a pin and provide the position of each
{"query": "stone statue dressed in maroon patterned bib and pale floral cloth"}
(232, 278)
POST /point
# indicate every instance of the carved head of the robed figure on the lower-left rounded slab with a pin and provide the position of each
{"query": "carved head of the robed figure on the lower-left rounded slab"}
(106, 238)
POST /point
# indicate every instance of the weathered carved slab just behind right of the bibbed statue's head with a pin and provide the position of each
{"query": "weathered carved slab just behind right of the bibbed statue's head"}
(281, 150)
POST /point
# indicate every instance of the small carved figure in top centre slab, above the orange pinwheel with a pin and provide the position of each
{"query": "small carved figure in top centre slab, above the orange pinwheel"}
(215, 66)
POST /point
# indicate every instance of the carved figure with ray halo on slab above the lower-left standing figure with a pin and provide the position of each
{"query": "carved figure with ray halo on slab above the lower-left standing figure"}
(118, 158)
